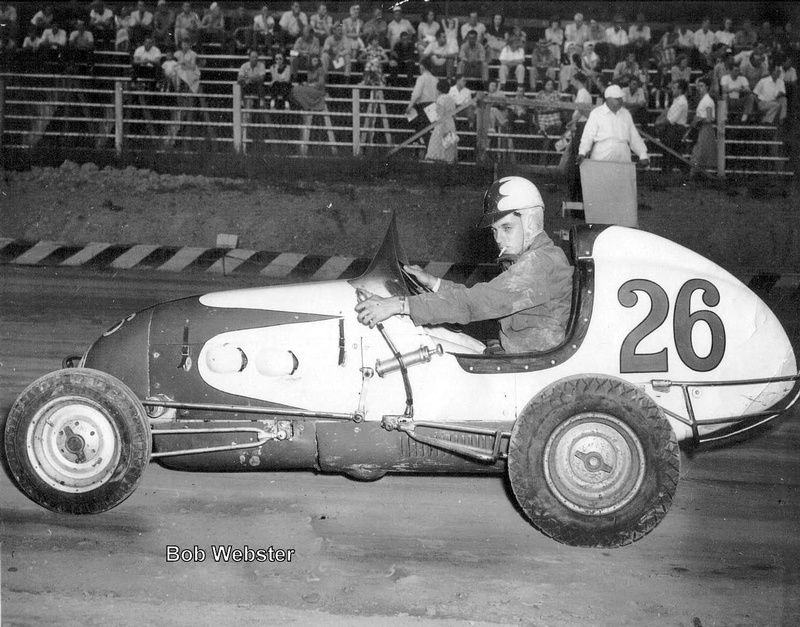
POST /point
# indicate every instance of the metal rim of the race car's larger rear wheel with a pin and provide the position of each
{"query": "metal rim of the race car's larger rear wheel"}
(594, 463)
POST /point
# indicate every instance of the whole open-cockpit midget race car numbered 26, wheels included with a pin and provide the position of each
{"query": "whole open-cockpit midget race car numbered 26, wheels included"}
(662, 346)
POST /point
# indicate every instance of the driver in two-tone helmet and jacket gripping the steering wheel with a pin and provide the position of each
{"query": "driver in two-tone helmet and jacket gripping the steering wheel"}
(531, 298)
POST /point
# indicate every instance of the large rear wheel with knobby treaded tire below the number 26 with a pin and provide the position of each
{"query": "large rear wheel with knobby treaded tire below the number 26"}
(593, 462)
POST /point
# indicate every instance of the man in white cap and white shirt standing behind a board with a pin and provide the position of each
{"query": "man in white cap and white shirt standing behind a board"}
(610, 134)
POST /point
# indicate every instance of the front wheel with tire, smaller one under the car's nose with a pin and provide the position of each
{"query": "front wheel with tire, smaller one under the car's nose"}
(77, 441)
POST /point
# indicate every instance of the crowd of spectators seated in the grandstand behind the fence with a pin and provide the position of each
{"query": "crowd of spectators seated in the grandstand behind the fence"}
(751, 67)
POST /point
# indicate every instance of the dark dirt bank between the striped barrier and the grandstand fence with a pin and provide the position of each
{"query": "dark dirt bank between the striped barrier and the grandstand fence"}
(735, 225)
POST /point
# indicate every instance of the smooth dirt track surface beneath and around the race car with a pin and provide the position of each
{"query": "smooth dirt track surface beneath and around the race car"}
(406, 550)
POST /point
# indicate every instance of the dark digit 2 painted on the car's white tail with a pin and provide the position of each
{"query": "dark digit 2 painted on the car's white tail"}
(629, 359)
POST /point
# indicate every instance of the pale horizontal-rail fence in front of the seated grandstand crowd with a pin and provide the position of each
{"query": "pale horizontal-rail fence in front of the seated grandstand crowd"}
(47, 110)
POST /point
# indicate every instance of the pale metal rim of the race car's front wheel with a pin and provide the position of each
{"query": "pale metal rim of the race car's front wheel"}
(72, 444)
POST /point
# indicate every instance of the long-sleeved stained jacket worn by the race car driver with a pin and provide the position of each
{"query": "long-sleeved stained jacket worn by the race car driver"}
(531, 299)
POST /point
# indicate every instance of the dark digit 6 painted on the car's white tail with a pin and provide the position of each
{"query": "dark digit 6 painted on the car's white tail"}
(684, 322)
